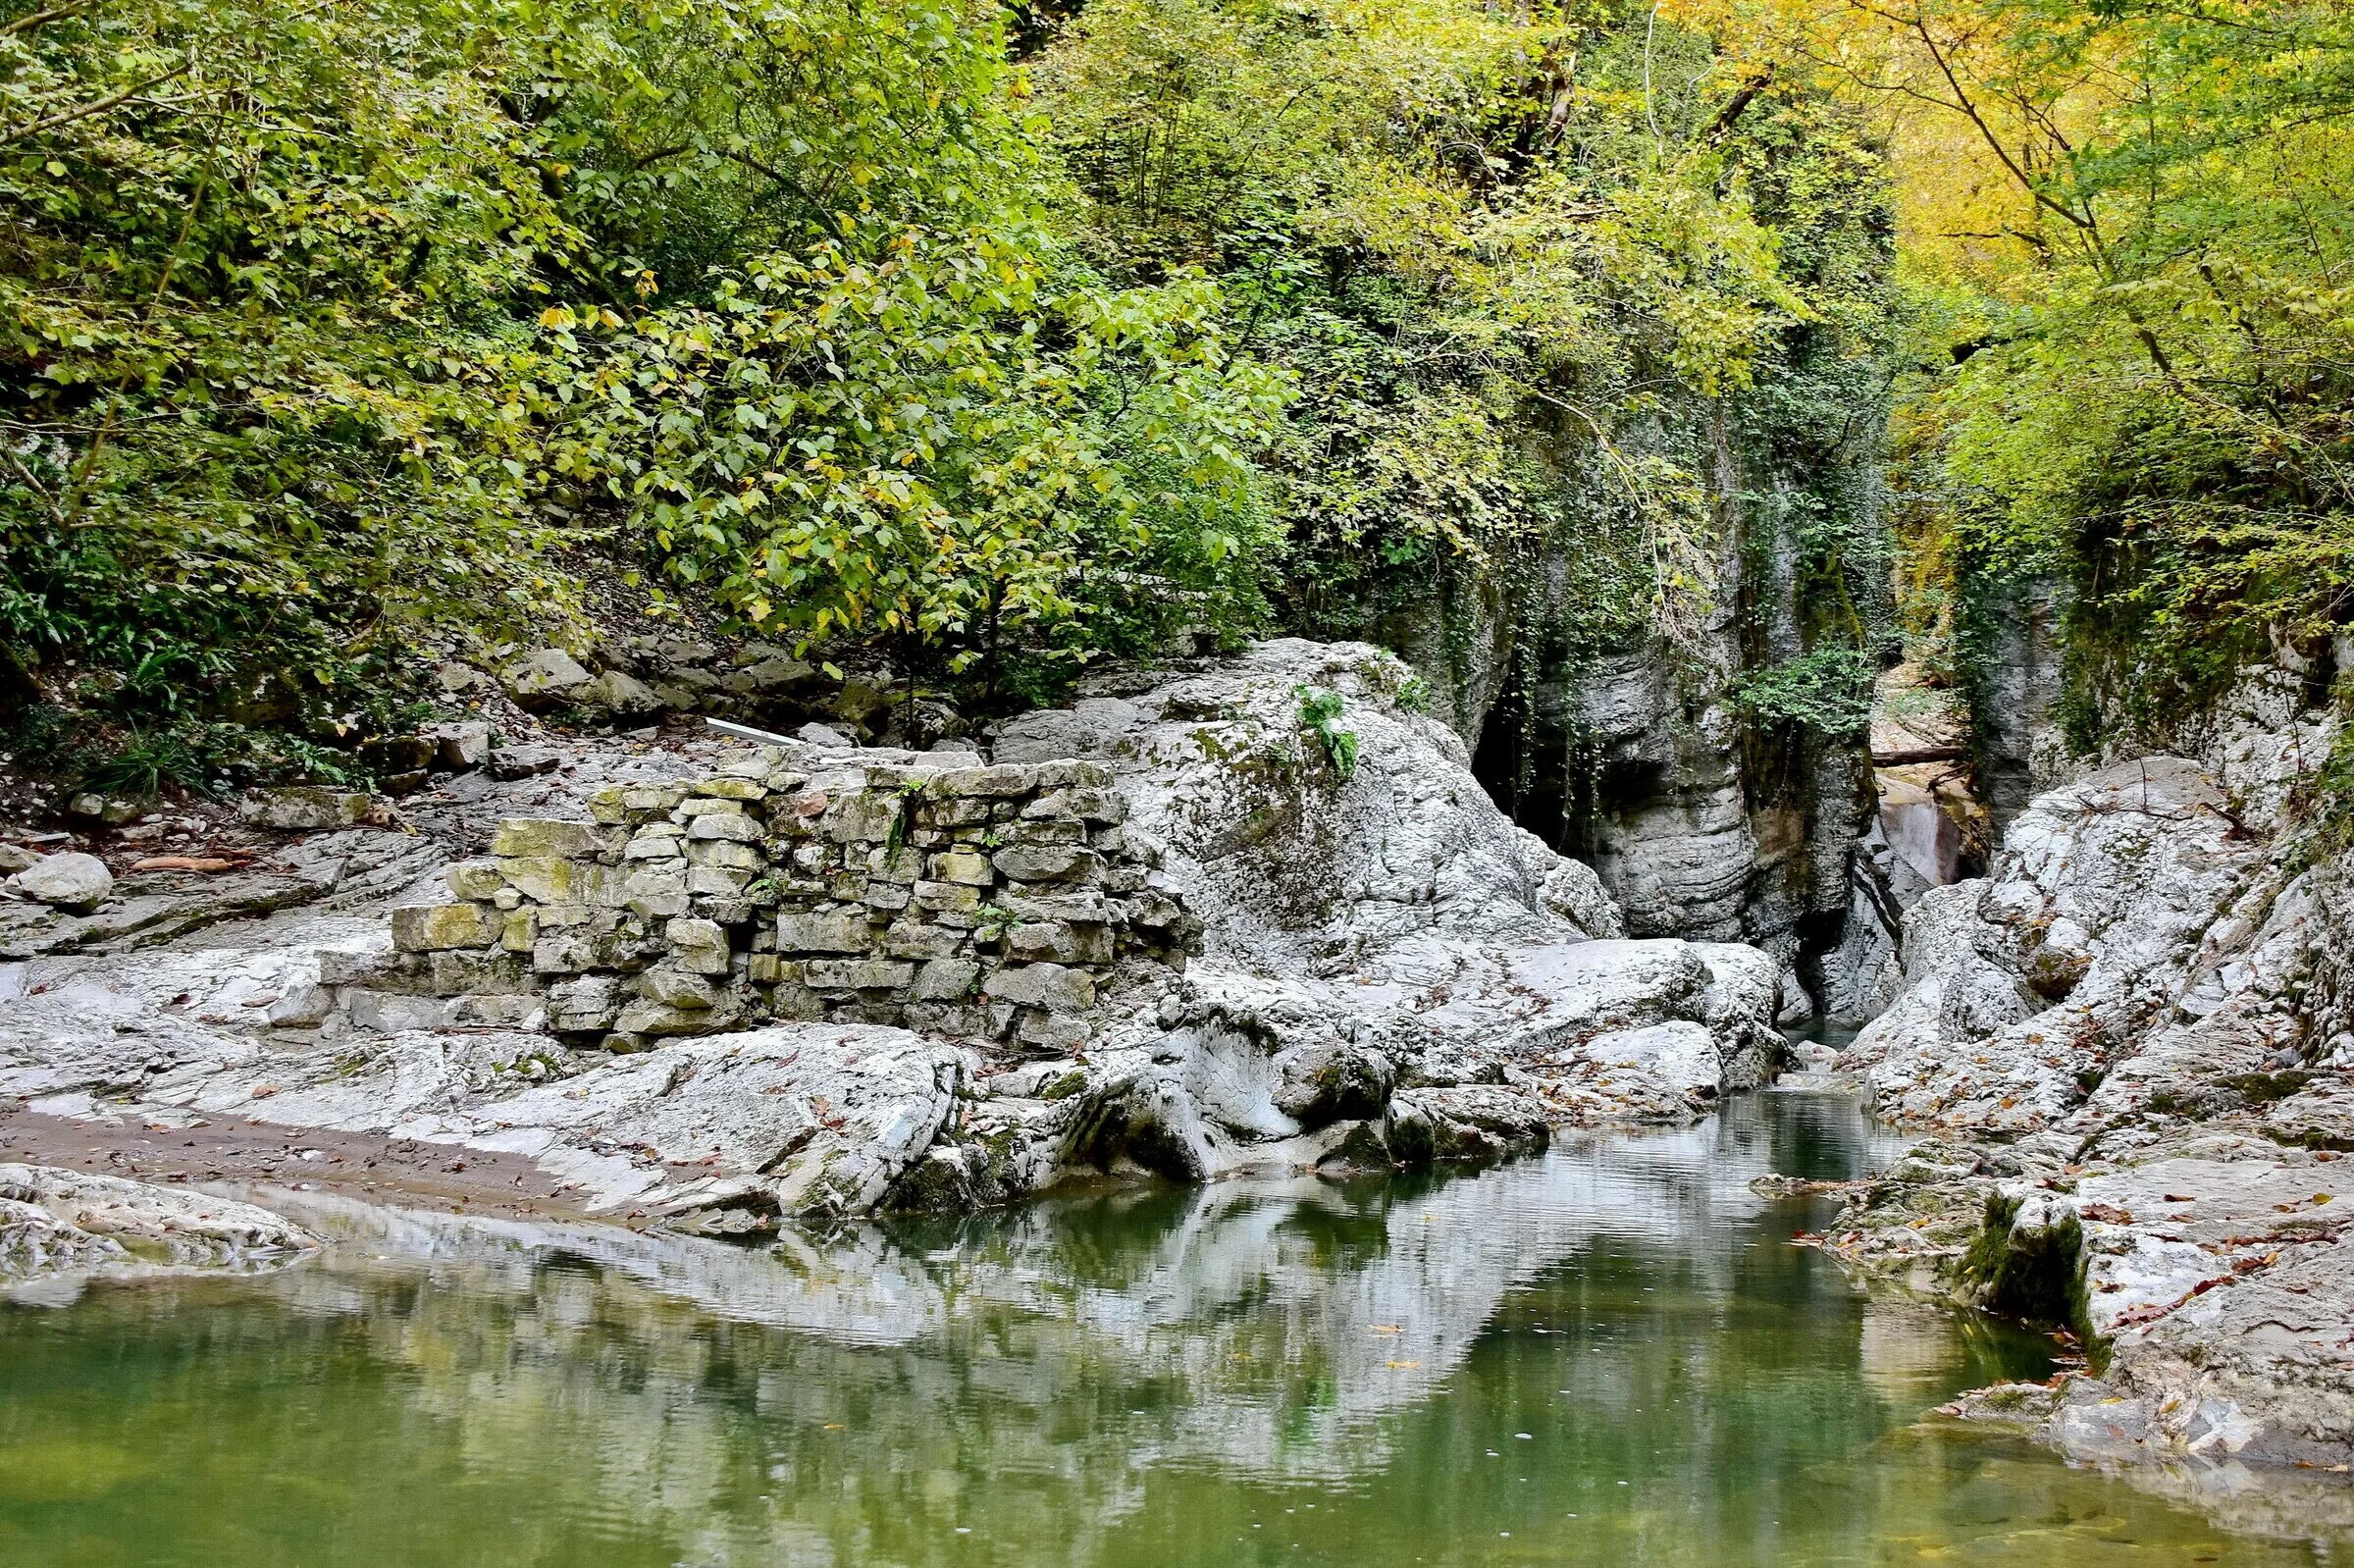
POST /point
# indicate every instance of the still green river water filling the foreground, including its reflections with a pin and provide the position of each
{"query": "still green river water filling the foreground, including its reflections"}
(1609, 1355)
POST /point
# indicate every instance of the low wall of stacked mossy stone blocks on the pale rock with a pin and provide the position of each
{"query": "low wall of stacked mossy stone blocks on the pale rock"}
(995, 903)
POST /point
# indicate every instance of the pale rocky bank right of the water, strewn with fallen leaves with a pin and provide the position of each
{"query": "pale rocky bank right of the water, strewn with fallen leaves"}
(2146, 1002)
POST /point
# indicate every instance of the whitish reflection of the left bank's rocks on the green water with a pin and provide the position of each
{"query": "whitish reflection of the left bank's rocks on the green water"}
(1275, 1322)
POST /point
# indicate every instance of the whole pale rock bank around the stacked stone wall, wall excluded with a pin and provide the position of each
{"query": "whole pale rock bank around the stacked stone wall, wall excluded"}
(1395, 976)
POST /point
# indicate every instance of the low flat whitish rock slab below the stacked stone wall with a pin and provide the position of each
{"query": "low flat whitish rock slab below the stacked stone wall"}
(714, 1134)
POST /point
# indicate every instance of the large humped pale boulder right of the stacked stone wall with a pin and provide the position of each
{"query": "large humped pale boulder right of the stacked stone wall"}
(1383, 929)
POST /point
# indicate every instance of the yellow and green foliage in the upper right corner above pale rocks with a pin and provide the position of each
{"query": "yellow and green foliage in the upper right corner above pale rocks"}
(2136, 376)
